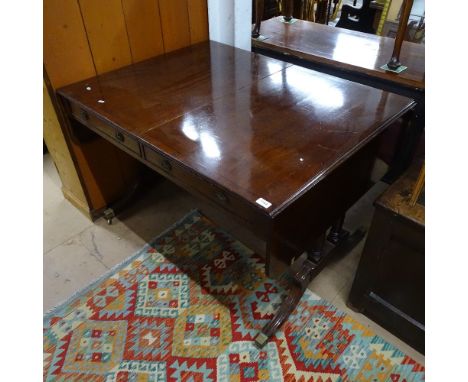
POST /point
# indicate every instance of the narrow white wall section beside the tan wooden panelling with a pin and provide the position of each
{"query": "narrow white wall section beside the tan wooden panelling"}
(230, 22)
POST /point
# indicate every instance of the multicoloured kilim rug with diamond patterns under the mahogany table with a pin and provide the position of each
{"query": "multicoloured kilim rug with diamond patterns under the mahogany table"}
(186, 308)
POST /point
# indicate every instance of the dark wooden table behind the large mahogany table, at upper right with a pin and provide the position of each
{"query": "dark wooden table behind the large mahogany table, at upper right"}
(355, 56)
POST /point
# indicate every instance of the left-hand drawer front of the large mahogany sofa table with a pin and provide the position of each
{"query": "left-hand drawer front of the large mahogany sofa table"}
(96, 123)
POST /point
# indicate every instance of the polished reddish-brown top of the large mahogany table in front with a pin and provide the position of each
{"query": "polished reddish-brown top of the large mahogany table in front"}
(256, 126)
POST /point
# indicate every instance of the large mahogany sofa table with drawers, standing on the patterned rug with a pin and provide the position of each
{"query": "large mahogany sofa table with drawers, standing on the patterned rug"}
(283, 149)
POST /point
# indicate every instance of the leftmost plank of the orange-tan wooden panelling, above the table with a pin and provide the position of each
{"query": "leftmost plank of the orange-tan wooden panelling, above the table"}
(67, 56)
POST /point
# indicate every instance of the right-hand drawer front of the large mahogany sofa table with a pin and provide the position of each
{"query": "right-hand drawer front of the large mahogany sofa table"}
(192, 182)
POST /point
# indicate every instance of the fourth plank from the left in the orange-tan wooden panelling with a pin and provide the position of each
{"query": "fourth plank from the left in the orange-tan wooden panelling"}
(175, 24)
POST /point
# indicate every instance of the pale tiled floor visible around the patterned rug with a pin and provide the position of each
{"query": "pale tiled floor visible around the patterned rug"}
(77, 251)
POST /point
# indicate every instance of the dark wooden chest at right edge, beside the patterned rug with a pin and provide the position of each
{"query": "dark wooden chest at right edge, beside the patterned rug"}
(389, 283)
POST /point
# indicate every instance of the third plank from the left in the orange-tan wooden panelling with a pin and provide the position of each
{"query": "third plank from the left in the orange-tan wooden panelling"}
(144, 28)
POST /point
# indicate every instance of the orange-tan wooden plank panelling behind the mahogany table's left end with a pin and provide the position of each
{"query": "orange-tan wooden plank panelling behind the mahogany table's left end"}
(83, 38)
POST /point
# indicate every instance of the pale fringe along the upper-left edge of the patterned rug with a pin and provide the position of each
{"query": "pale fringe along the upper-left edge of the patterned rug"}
(50, 312)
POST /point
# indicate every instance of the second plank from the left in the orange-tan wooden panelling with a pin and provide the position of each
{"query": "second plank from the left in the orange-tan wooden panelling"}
(107, 34)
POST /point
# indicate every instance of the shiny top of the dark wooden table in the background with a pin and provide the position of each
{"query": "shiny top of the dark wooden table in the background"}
(343, 49)
